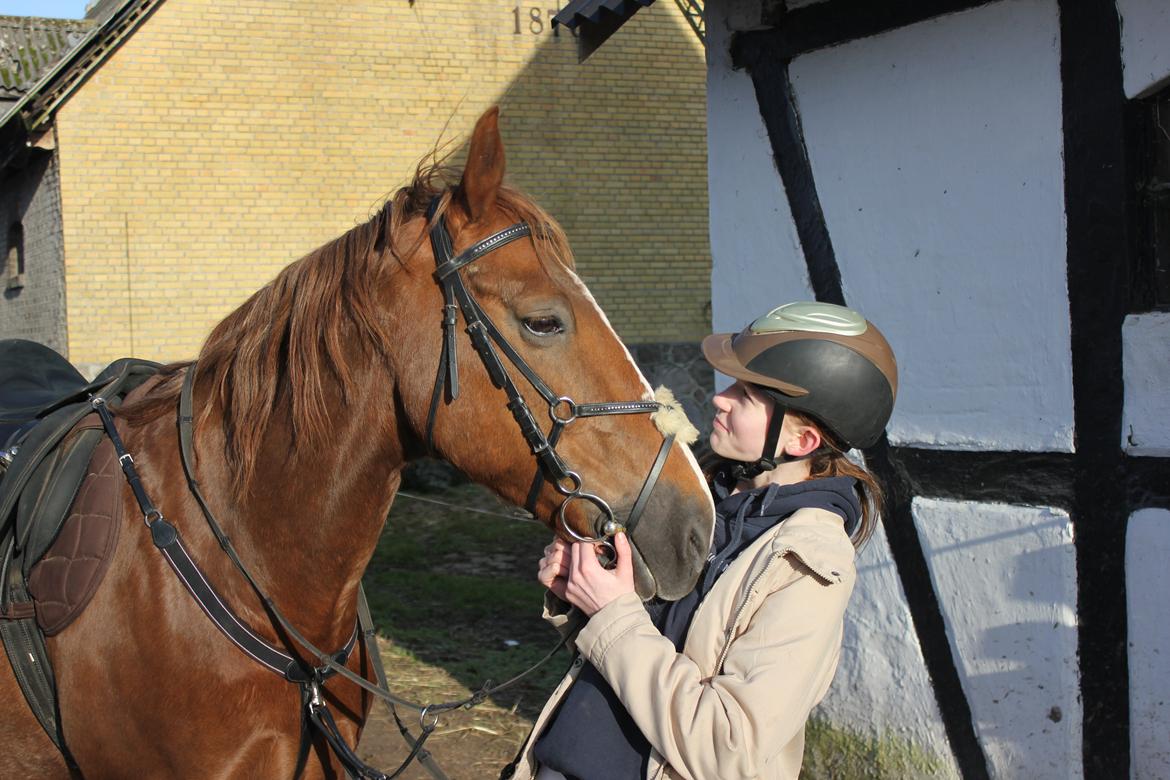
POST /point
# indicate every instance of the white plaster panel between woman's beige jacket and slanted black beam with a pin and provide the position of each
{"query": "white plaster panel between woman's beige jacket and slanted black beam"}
(882, 687)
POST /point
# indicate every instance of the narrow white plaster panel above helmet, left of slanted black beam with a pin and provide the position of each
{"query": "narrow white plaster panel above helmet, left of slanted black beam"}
(756, 258)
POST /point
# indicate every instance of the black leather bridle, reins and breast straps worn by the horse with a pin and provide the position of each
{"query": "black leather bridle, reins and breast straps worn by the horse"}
(311, 677)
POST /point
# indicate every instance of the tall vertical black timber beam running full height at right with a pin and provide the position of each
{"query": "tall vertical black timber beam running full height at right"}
(1096, 206)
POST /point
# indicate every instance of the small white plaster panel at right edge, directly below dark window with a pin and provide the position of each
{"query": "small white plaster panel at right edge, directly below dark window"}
(1146, 422)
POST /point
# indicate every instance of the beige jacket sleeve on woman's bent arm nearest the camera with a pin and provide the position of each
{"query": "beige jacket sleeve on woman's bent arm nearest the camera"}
(731, 724)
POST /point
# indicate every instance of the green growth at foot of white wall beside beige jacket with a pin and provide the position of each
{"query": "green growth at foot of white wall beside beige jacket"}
(835, 754)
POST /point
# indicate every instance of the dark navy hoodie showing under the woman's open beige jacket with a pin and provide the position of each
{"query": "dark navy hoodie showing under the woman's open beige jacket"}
(591, 736)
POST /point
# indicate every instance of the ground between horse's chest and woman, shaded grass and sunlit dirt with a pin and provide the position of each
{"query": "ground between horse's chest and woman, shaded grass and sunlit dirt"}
(456, 599)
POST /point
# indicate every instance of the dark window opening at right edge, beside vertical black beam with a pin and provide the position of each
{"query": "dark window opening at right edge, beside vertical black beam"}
(1151, 157)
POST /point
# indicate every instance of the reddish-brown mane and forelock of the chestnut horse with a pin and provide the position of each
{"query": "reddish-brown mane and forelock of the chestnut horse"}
(293, 335)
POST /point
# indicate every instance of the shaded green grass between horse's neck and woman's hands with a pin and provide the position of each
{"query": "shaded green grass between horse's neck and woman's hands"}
(458, 590)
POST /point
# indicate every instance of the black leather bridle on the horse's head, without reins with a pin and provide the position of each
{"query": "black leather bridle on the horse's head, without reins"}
(486, 339)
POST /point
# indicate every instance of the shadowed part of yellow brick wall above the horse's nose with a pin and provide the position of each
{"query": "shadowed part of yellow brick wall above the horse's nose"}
(617, 151)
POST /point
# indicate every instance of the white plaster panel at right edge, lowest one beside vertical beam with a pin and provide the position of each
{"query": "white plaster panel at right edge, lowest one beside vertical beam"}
(1147, 586)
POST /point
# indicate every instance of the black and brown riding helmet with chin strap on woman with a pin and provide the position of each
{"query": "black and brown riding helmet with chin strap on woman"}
(817, 358)
